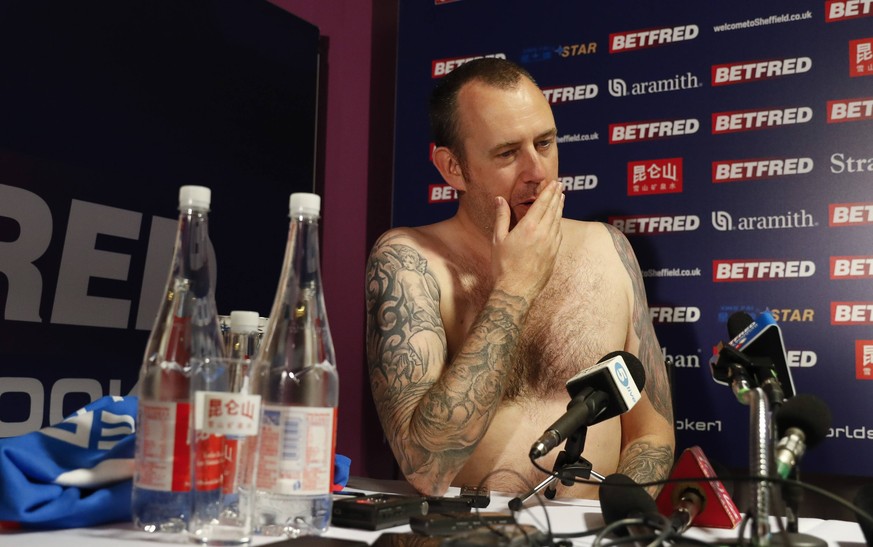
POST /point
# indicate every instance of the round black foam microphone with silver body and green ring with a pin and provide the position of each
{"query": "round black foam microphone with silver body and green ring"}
(803, 421)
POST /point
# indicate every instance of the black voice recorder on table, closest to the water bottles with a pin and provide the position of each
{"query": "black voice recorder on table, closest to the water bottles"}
(377, 511)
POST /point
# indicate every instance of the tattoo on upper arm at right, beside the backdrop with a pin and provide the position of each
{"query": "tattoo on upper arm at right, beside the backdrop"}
(657, 385)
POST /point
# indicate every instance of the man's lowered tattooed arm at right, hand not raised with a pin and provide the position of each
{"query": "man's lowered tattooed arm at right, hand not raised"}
(648, 439)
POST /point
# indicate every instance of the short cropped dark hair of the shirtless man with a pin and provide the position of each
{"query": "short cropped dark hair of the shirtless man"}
(444, 122)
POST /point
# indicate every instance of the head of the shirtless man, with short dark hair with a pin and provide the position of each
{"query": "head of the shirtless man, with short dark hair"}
(495, 136)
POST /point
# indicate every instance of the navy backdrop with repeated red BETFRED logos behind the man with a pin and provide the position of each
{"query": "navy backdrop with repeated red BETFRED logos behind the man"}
(730, 142)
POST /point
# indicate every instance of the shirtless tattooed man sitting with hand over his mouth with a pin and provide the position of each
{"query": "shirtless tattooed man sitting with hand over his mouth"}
(476, 323)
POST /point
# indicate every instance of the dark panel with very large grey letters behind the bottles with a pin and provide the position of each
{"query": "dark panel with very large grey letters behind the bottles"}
(104, 113)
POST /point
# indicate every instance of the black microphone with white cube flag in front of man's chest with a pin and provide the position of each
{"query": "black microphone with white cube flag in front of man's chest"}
(603, 391)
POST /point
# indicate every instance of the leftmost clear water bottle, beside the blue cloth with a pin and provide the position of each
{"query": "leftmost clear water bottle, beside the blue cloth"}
(186, 327)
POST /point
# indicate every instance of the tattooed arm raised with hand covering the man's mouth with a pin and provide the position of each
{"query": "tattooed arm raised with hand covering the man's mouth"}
(435, 412)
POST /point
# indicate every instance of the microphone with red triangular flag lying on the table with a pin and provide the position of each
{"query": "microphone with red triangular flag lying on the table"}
(696, 501)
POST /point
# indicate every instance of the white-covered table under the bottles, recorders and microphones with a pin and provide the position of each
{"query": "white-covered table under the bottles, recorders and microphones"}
(565, 515)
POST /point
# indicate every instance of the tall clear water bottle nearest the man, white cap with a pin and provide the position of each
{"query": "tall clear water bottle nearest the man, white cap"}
(295, 374)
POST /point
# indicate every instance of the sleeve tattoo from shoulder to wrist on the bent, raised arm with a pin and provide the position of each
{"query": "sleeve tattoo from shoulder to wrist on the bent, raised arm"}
(434, 413)
